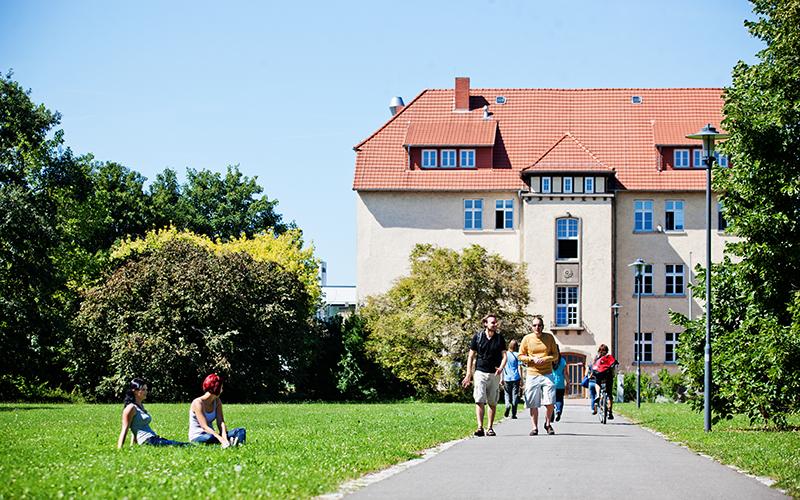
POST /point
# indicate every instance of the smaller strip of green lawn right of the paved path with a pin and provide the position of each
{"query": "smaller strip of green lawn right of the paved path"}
(735, 442)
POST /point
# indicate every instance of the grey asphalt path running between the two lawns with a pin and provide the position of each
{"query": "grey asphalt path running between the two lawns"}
(584, 460)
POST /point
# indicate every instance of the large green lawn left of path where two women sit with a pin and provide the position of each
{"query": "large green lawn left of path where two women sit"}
(297, 450)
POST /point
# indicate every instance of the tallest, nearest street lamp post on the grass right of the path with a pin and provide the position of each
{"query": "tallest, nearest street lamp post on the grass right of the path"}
(708, 135)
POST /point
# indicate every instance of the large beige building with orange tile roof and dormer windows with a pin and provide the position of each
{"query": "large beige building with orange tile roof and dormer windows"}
(575, 183)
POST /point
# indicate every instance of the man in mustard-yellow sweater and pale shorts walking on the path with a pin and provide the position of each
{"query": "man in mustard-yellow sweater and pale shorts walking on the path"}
(538, 351)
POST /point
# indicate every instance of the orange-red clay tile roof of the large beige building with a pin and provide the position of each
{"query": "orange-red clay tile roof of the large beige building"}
(603, 124)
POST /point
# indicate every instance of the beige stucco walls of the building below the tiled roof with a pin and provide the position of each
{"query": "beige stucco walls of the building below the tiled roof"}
(391, 223)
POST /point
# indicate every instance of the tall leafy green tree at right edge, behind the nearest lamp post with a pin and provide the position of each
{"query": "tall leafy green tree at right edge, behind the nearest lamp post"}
(756, 294)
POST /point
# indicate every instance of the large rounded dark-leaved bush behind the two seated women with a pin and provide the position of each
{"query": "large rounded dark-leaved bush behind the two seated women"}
(179, 311)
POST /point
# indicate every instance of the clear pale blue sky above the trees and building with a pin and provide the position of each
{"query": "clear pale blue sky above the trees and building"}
(286, 89)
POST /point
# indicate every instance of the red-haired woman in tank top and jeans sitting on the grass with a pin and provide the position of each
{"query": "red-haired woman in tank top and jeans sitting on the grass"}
(205, 410)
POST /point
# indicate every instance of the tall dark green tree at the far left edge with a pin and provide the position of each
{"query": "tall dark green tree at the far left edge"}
(31, 166)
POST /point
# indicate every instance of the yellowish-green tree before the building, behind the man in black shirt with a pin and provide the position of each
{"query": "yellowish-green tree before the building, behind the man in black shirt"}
(420, 329)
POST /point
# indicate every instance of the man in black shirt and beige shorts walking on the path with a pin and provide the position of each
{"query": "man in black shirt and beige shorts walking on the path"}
(487, 358)
